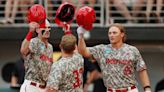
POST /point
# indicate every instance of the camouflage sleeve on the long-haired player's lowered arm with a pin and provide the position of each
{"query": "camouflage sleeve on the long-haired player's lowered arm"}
(140, 64)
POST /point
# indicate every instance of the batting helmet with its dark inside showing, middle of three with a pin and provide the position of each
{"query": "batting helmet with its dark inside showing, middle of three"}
(65, 13)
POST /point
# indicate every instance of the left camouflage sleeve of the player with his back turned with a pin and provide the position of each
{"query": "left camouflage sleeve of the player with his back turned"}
(55, 76)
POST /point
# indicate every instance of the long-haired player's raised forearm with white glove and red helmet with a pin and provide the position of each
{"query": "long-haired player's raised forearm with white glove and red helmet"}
(85, 19)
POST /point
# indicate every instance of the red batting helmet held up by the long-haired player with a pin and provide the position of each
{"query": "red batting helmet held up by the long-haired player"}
(86, 17)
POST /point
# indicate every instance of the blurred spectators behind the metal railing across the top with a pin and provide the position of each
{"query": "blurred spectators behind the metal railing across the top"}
(132, 11)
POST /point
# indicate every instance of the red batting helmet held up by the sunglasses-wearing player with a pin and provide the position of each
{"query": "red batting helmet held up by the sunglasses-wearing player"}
(37, 14)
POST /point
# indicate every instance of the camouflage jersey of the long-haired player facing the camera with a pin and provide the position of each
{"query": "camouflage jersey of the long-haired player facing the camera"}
(118, 65)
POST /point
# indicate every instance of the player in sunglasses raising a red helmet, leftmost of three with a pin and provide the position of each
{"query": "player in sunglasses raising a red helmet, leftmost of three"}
(37, 52)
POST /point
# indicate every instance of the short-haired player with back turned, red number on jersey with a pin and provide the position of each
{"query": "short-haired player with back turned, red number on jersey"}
(66, 73)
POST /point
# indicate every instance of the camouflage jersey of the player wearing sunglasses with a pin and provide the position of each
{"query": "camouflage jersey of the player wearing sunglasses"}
(38, 62)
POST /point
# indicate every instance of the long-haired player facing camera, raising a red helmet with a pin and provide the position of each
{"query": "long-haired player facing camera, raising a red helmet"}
(118, 60)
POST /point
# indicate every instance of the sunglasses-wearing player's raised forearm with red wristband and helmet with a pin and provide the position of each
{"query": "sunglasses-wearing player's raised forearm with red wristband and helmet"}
(36, 17)
